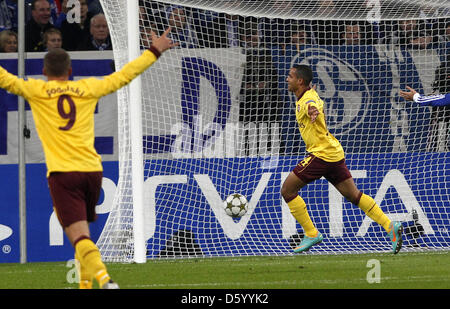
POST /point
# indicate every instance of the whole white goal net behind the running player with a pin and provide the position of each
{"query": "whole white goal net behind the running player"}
(217, 119)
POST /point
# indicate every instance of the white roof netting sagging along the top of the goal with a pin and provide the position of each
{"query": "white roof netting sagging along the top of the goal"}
(319, 9)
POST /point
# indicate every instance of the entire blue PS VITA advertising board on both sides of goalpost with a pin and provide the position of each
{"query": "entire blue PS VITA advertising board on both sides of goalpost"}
(191, 198)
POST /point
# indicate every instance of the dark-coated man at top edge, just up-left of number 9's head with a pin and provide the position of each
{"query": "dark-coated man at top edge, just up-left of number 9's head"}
(37, 25)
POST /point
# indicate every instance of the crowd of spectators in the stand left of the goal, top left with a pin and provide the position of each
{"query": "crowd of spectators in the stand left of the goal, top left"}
(50, 24)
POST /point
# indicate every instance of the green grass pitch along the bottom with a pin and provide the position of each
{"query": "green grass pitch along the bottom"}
(404, 271)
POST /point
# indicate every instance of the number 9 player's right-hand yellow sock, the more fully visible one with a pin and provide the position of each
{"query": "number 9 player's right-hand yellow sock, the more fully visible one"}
(91, 259)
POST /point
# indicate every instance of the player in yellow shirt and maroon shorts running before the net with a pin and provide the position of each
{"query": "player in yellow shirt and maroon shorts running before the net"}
(326, 158)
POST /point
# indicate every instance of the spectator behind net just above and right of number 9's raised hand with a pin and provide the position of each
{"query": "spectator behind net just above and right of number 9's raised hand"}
(183, 31)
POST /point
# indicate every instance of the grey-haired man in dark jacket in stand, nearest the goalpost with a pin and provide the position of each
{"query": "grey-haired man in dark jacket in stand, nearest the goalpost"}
(99, 38)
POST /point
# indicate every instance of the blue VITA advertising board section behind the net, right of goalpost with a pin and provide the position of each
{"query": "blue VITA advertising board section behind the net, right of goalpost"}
(190, 198)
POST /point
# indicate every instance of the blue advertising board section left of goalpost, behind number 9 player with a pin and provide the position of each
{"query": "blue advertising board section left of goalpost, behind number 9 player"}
(45, 238)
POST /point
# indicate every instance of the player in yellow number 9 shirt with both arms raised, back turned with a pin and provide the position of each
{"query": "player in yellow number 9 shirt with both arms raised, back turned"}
(63, 111)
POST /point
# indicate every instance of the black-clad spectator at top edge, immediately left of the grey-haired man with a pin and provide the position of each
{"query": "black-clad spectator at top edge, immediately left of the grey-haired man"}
(73, 32)
